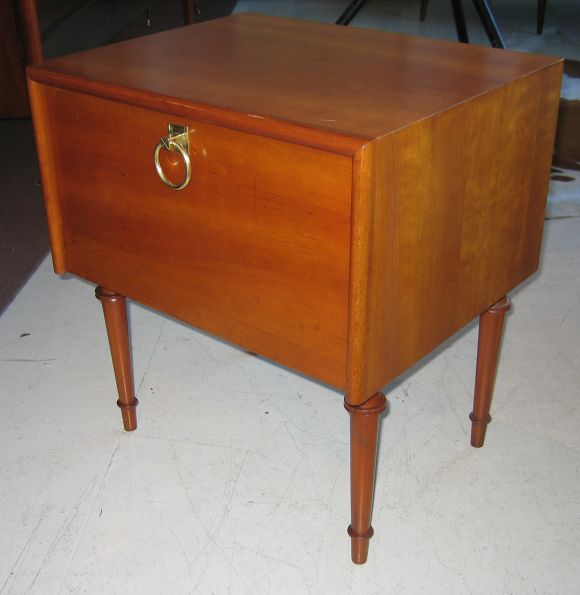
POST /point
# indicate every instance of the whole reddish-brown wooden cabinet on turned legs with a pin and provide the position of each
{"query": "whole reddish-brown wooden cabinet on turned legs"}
(345, 214)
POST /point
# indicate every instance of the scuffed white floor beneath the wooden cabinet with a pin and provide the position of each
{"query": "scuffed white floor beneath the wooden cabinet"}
(237, 479)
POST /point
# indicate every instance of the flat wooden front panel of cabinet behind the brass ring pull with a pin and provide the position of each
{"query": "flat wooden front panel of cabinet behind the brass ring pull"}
(229, 253)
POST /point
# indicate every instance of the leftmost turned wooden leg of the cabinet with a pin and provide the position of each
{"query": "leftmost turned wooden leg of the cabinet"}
(115, 311)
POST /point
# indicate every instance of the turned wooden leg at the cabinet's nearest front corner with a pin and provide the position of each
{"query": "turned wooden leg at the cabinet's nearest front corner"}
(364, 425)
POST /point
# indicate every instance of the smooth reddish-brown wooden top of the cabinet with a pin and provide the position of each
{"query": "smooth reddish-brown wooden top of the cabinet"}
(359, 83)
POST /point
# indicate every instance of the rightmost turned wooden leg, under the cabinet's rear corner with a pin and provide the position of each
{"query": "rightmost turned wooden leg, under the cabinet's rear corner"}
(490, 328)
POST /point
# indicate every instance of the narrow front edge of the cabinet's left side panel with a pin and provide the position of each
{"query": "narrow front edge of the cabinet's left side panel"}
(43, 132)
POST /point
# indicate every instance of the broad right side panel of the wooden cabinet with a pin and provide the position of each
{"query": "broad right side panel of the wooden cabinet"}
(452, 212)
